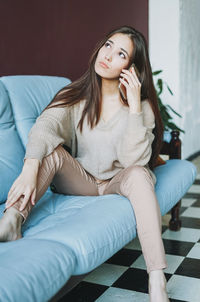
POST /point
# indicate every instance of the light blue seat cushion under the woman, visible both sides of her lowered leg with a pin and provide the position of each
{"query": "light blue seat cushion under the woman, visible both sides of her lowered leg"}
(96, 227)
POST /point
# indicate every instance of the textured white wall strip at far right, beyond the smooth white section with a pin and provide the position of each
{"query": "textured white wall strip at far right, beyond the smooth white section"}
(190, 73)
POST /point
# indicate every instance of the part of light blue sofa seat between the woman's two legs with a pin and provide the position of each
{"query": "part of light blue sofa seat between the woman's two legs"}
(94, 227)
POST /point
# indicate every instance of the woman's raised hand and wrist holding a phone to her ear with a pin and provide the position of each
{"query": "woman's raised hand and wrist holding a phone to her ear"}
(133, 89)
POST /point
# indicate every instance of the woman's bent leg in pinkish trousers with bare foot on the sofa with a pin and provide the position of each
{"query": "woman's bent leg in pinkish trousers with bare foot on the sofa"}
(68, 176)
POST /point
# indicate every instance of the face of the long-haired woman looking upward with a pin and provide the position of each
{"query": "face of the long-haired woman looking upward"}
(113, 56)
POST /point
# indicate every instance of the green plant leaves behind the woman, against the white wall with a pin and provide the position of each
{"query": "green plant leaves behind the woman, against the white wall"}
(169, 125)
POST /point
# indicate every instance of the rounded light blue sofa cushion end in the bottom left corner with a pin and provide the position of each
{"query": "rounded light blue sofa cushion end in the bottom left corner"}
(33, 269)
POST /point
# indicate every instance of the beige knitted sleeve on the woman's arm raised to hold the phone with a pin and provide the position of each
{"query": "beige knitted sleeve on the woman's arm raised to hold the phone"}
(136, 145)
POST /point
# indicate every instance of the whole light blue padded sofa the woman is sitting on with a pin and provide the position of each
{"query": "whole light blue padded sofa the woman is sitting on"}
(65, 237)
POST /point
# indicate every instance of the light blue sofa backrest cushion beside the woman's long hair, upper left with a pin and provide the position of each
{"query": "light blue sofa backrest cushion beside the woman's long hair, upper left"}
(29, 95)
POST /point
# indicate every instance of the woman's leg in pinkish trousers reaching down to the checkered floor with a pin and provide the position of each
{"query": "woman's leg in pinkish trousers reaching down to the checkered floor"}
(135, 183)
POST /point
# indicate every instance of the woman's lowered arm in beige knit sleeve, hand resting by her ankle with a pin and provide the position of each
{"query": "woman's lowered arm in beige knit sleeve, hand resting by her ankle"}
(52, 128)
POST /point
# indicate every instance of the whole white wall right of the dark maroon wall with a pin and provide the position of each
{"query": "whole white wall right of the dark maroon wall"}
(174, 46)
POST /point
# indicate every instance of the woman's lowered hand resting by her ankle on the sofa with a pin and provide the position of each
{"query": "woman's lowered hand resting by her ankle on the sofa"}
(24, 185)
